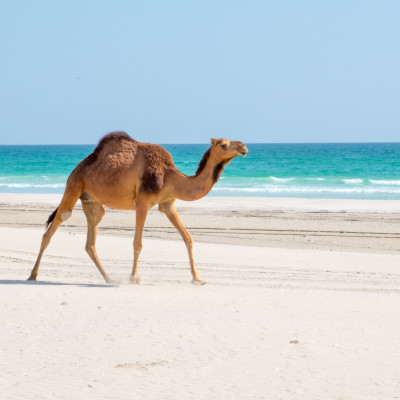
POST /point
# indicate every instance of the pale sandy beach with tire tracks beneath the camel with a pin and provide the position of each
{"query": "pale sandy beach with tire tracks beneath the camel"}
(302, 302)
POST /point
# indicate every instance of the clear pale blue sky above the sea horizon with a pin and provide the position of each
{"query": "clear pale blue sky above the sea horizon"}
(184, 71)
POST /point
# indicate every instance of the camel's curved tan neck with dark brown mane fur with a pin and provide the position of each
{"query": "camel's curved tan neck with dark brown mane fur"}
(195, 187)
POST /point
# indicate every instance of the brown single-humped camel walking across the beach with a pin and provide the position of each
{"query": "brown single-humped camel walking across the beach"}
(125, 174)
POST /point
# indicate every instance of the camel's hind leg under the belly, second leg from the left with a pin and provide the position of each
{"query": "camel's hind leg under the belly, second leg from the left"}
(94, 213)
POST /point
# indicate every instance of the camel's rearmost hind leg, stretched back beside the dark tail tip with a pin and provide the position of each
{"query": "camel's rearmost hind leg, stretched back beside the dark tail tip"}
(64, 211)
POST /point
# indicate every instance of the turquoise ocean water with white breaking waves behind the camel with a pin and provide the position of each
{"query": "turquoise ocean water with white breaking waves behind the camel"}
(357, 170)
